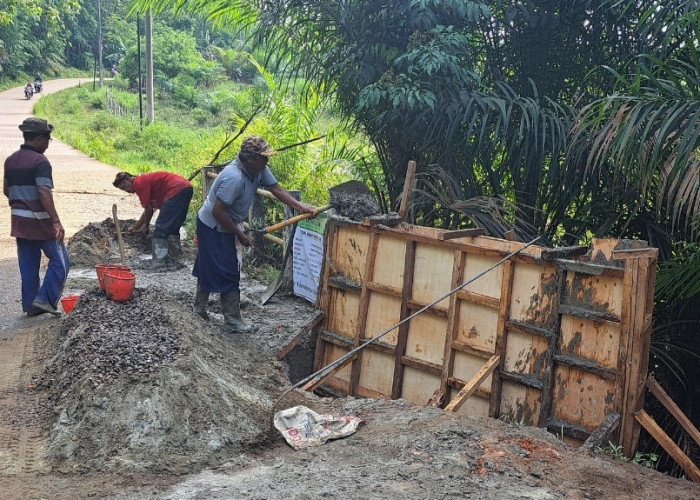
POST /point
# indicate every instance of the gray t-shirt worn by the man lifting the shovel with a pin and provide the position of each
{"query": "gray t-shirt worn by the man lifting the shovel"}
(235, 188)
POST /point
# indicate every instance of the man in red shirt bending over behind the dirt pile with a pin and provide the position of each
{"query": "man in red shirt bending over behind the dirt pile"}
(171, 194)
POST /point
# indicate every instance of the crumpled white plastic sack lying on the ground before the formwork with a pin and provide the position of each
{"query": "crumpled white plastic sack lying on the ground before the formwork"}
(303, 427)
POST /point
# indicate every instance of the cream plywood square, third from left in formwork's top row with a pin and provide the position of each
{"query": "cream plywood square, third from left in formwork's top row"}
(432, 274)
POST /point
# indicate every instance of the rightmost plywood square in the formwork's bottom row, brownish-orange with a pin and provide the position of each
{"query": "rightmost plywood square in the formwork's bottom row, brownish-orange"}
(582, 398)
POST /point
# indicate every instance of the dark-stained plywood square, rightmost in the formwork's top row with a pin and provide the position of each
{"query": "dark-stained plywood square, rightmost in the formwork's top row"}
(599, 293)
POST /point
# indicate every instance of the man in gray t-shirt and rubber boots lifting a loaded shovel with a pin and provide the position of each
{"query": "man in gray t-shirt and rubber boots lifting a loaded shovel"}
(220, 228)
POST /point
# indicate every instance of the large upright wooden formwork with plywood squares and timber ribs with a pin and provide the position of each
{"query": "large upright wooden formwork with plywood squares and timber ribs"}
(569, 336)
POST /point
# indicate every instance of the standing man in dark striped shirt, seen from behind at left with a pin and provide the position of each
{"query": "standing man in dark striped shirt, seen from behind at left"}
(28, 185)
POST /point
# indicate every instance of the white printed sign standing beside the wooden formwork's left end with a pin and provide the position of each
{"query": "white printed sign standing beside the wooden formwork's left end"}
(308, 257)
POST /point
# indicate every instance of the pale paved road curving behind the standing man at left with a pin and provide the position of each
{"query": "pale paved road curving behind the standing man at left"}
(83, 191)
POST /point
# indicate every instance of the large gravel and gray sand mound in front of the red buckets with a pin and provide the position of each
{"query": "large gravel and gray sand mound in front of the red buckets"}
(142, 386)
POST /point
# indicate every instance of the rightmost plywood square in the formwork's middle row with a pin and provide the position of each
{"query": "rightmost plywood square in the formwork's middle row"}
(598, 341)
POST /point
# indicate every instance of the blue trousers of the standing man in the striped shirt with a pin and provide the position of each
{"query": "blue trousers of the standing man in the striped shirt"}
(29, 259)
